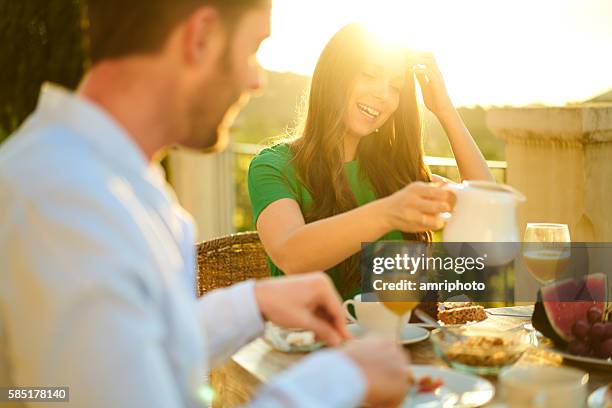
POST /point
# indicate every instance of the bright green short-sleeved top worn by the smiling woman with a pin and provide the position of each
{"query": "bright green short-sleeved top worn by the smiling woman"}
(272, 177)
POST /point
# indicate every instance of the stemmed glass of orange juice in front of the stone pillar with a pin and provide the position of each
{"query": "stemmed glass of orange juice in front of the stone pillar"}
(547, 251)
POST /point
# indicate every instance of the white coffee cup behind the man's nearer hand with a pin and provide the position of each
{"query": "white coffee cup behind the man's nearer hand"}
(374, 317)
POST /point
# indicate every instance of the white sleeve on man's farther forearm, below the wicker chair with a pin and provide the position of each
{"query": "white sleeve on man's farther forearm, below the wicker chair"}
(229, 318)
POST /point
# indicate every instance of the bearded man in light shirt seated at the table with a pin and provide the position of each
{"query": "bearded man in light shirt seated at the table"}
(96, 256)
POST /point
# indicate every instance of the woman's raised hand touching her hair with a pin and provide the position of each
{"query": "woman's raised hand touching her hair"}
(435, 95)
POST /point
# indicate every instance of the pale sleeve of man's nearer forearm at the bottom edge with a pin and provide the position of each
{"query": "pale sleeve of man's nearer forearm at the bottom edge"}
(324, 379)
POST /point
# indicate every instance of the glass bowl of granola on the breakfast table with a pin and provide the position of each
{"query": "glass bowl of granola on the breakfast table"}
(479, 350)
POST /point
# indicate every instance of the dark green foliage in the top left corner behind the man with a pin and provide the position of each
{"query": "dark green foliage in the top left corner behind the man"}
(41, 41)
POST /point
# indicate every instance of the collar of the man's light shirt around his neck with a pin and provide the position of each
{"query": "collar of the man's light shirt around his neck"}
(95, 125)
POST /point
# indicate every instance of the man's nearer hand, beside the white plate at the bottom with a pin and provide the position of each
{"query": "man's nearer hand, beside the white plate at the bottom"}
(385, 368)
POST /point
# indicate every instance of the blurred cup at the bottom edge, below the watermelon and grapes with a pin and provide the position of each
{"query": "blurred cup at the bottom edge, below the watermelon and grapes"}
(543, 387)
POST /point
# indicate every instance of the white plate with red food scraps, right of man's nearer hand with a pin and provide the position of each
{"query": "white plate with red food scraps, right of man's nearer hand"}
(459, 389)
